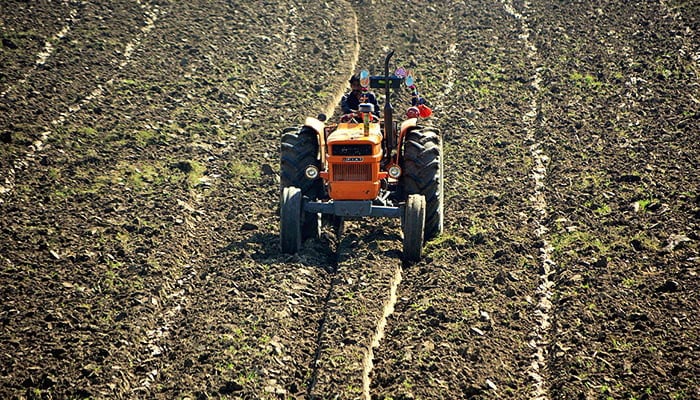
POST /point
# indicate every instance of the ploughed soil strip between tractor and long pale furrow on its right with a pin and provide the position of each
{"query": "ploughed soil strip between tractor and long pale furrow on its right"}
(460, 323)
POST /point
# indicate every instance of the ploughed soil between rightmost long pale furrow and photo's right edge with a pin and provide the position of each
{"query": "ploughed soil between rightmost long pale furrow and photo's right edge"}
(624, 137)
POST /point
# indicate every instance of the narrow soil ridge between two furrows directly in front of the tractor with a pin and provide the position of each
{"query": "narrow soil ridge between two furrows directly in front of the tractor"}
(364, 286)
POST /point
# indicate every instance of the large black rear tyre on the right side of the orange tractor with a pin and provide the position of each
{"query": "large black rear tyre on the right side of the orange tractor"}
(423, 174)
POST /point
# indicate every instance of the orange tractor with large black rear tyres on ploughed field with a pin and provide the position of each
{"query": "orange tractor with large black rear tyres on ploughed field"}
(362, 167)
